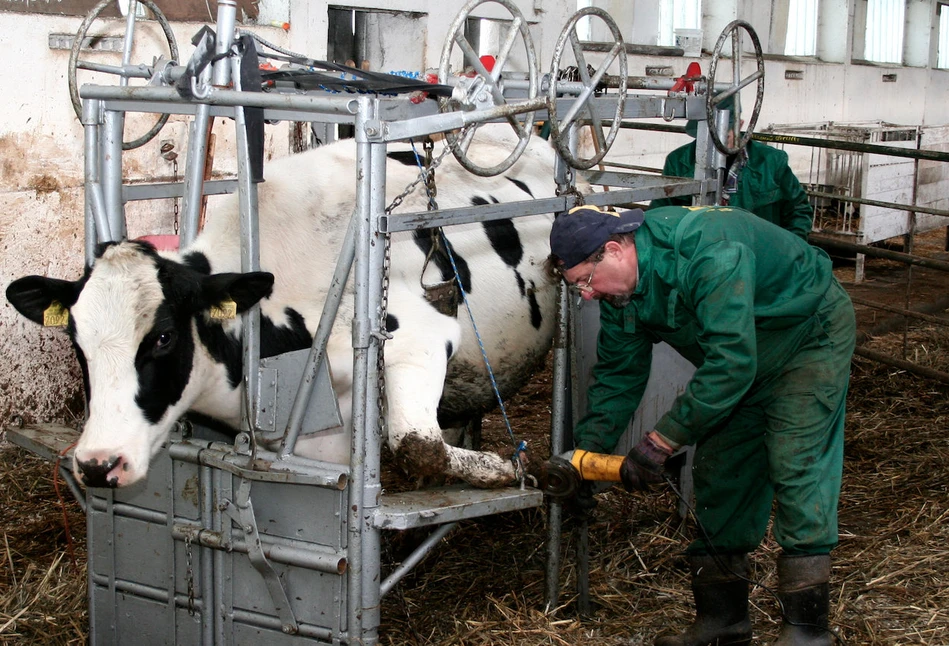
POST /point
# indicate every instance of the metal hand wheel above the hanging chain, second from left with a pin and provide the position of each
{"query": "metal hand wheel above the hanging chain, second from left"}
(484, 89)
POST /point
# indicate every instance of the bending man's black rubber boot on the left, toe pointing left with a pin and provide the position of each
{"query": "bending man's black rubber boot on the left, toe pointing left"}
(721, 603)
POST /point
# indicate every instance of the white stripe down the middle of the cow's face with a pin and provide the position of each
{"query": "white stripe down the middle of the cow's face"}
(114, 312)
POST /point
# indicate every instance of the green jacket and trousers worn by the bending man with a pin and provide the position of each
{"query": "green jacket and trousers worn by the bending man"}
(771, 332)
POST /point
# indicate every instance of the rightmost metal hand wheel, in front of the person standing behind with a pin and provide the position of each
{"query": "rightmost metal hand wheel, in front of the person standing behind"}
(733, 29)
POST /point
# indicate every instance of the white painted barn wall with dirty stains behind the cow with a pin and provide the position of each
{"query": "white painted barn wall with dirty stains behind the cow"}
(41, 140)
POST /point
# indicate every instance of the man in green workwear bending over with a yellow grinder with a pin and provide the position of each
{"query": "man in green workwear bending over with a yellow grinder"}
(771, 332)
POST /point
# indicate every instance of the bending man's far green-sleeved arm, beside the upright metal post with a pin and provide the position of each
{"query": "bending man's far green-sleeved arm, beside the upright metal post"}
(619, 380)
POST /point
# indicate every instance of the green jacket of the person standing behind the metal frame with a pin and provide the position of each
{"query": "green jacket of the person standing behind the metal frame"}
(767, 187)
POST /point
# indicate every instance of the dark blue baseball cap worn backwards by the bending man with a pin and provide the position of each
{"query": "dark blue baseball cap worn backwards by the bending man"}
(577, 234)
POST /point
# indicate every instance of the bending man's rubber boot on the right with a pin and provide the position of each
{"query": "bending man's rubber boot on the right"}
(804, 591)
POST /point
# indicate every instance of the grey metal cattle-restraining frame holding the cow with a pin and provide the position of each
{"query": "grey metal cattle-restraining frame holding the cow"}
(222, 471)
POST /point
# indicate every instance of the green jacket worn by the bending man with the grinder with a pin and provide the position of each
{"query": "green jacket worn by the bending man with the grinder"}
(711, 286)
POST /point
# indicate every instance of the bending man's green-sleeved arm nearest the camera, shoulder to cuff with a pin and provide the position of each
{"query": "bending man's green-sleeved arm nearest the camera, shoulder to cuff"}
(719, 286)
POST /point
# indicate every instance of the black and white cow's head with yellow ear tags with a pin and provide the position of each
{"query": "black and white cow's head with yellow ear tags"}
(132, 319)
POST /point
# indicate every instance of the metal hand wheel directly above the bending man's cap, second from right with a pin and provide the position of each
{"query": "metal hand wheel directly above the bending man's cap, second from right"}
(560, 129)
